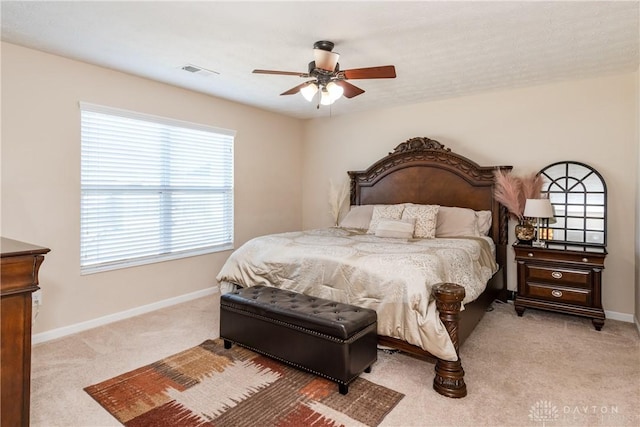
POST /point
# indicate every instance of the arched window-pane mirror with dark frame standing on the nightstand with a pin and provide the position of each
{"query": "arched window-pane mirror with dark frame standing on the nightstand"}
(578, 194)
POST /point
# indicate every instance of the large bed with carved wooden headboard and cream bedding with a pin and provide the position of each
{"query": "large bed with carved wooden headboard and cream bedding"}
(429, 293)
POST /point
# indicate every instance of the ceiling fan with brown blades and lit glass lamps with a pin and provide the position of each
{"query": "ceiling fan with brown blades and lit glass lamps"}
(328, 79)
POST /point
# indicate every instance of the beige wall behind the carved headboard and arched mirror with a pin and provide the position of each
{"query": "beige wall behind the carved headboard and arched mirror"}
(592, 121)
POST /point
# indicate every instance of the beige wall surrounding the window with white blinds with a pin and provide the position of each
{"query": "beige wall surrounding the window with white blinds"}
(41, 178)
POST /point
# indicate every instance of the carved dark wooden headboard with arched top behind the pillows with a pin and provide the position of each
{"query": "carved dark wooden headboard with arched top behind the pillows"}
(423, 171)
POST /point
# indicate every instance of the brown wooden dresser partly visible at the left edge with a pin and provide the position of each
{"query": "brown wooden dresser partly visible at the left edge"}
(19, 264)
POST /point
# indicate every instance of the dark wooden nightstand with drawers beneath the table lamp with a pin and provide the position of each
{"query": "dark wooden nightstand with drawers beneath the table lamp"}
(561, 279)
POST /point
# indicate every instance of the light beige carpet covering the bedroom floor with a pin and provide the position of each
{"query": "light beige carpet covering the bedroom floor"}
(542, 369)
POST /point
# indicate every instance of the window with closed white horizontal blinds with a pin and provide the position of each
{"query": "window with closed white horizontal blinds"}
(152, 189)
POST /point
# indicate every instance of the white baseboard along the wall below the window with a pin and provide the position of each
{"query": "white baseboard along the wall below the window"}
(100, 321)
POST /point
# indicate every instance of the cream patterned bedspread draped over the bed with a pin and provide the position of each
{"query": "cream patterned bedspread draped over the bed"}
(392, 276)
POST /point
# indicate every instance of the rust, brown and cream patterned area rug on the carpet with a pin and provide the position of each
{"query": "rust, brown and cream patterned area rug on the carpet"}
(210, 386)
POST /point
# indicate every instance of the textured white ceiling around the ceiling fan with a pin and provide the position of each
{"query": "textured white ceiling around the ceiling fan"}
(440, 49)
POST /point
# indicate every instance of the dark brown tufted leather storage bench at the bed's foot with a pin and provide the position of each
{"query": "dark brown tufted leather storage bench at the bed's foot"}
(337, 341)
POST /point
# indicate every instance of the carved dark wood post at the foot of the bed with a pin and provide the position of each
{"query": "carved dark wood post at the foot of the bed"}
(449, 379)
